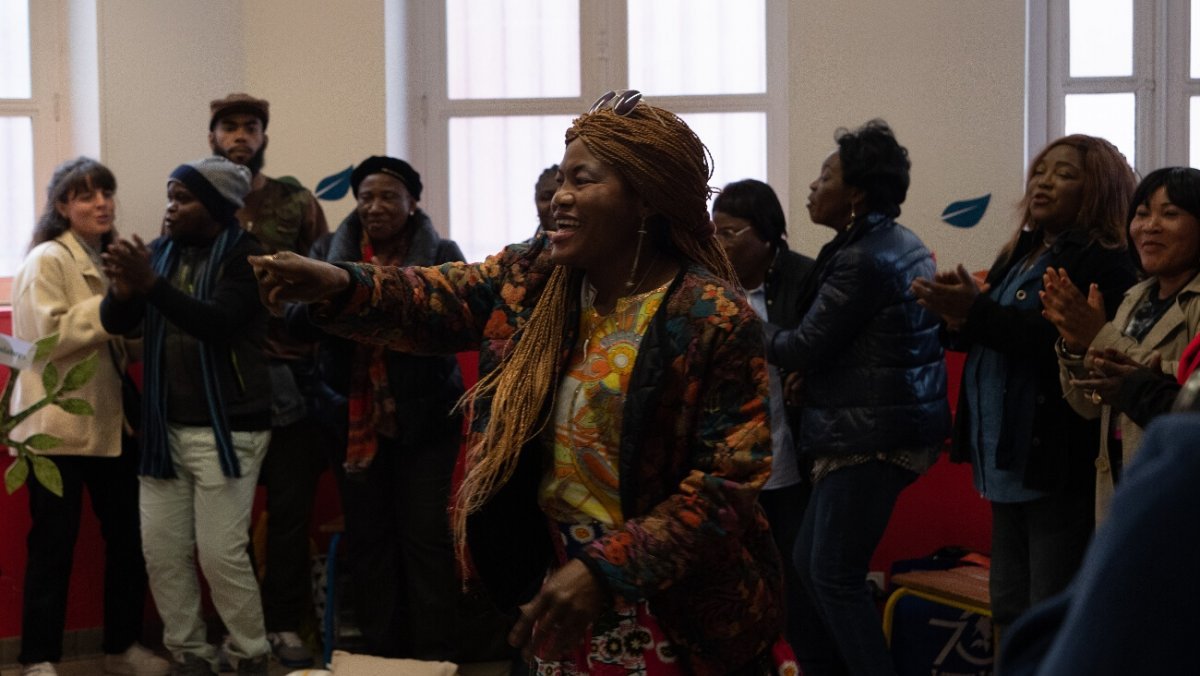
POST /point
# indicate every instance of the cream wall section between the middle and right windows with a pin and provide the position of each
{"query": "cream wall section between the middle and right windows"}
(949, 76)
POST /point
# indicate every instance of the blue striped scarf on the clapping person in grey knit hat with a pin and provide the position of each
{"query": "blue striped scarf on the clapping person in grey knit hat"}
(157, 448)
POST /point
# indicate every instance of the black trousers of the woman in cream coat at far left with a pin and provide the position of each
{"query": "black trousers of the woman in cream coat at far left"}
(113, 488)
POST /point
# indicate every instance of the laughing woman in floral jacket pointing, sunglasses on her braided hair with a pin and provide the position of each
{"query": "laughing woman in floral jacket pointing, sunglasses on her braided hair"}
(619, 433)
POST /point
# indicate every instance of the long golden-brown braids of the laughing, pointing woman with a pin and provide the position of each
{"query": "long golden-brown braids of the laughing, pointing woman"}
(669, 169)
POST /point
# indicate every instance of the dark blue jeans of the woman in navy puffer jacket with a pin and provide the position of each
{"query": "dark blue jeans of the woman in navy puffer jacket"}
(848, 515)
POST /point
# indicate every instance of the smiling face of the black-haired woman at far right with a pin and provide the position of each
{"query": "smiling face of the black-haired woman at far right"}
(1168, 240)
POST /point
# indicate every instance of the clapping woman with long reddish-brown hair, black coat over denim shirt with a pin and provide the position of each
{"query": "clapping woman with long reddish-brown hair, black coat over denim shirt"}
(1031, 454)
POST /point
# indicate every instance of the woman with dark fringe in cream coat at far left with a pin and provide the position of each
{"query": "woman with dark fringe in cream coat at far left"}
(58, 290)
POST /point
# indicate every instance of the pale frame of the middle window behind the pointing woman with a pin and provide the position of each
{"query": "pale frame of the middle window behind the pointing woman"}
(603, 67)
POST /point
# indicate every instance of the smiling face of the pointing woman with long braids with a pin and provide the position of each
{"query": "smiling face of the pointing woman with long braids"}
(596, 216)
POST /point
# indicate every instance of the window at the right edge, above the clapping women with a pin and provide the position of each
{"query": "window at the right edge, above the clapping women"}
(1125, 70)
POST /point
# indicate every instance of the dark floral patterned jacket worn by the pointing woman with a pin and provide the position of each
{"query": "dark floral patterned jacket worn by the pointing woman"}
(695, 446)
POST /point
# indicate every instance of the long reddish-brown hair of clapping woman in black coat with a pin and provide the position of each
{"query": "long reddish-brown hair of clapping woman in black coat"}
(1109, 183)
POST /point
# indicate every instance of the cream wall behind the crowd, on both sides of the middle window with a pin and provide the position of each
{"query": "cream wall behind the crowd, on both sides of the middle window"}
(949, 75)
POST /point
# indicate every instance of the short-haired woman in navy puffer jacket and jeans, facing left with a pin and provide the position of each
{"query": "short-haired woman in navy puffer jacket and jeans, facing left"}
(874, 411)
